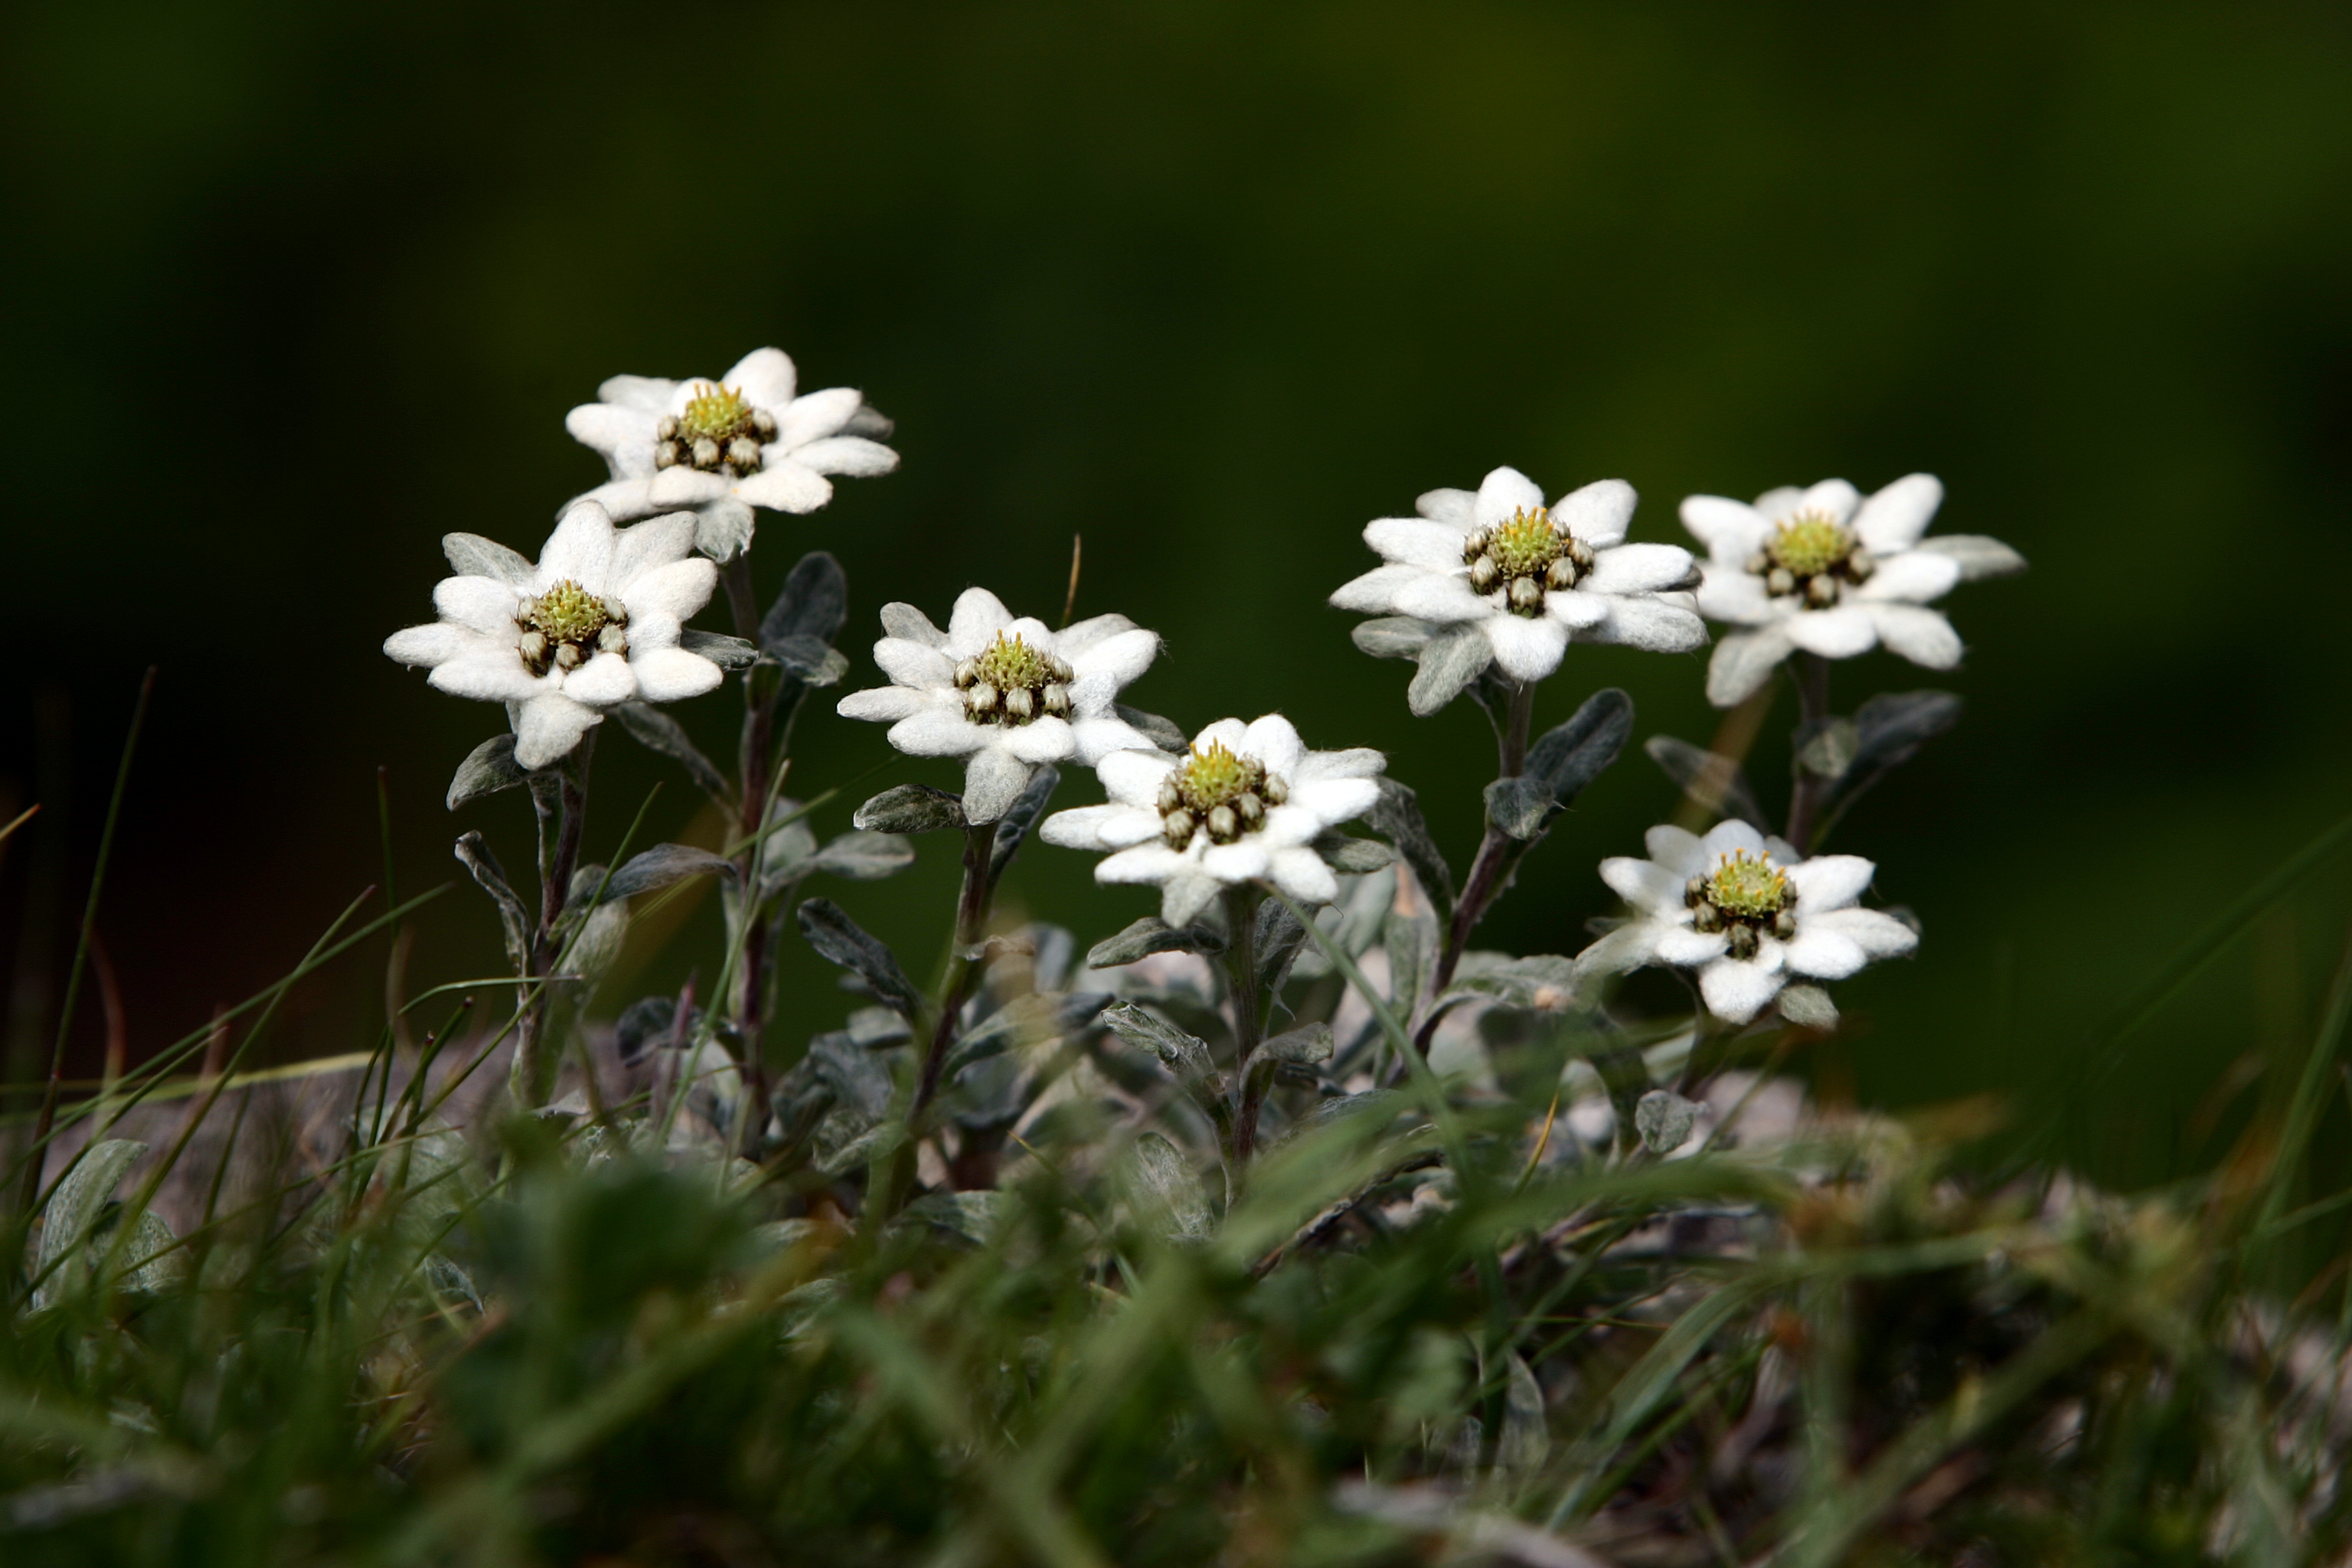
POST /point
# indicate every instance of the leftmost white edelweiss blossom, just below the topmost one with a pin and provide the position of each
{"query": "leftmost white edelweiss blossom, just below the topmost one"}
(594, 624)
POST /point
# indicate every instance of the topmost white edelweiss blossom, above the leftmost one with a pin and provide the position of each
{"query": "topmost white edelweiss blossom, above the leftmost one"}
(723, 448)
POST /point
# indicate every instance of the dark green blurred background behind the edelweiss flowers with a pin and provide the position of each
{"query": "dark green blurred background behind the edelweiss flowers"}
(293, 290)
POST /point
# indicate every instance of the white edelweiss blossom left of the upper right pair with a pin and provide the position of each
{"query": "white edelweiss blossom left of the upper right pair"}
(1532, 577)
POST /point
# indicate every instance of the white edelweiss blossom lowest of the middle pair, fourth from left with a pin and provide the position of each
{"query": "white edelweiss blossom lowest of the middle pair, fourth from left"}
(1243, 805)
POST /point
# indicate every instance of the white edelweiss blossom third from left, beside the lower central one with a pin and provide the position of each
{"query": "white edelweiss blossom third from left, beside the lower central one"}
(1003, 692)
